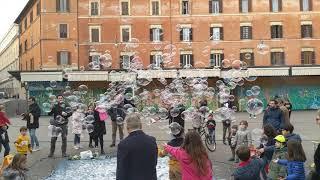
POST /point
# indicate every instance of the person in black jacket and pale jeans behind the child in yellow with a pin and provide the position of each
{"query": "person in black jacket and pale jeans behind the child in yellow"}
(32, 118)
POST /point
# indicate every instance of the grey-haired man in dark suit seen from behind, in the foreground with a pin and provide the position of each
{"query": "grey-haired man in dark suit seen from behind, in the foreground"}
(137, 154)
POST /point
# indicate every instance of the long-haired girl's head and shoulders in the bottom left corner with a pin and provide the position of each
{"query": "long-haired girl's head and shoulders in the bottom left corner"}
(17, 169)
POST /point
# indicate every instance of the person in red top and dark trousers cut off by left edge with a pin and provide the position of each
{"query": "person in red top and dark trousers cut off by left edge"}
(4, 125)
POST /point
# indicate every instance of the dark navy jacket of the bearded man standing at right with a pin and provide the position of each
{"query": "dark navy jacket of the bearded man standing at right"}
(275, 117)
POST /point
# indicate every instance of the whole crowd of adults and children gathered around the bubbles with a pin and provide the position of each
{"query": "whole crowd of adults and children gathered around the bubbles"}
(279, 156)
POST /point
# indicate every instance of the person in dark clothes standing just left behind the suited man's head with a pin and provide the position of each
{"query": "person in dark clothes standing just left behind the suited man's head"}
(117, 116)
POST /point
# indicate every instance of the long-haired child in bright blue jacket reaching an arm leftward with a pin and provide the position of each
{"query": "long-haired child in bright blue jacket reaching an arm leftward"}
(295, 161)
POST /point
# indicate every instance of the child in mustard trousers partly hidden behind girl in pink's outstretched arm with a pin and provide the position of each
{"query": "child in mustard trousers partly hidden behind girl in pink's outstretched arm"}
(174, 166)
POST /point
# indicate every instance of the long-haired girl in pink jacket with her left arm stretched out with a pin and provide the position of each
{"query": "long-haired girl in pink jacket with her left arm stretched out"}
(193, 158)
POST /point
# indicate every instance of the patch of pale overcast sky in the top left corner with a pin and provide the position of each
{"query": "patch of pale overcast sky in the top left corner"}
(9, 11)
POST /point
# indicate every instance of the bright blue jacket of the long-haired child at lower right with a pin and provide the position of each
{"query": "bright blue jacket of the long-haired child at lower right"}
(295, 169)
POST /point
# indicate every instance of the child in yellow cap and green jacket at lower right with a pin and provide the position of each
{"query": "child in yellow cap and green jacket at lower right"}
(277, 171)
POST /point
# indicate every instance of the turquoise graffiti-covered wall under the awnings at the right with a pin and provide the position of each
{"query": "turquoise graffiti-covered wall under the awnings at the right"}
(301, 97)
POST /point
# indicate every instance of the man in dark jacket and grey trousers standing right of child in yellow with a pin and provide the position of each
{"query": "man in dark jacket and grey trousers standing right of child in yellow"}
(60, 120)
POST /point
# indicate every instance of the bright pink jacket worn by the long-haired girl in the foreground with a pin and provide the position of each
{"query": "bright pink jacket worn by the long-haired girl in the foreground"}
(188, 170)
